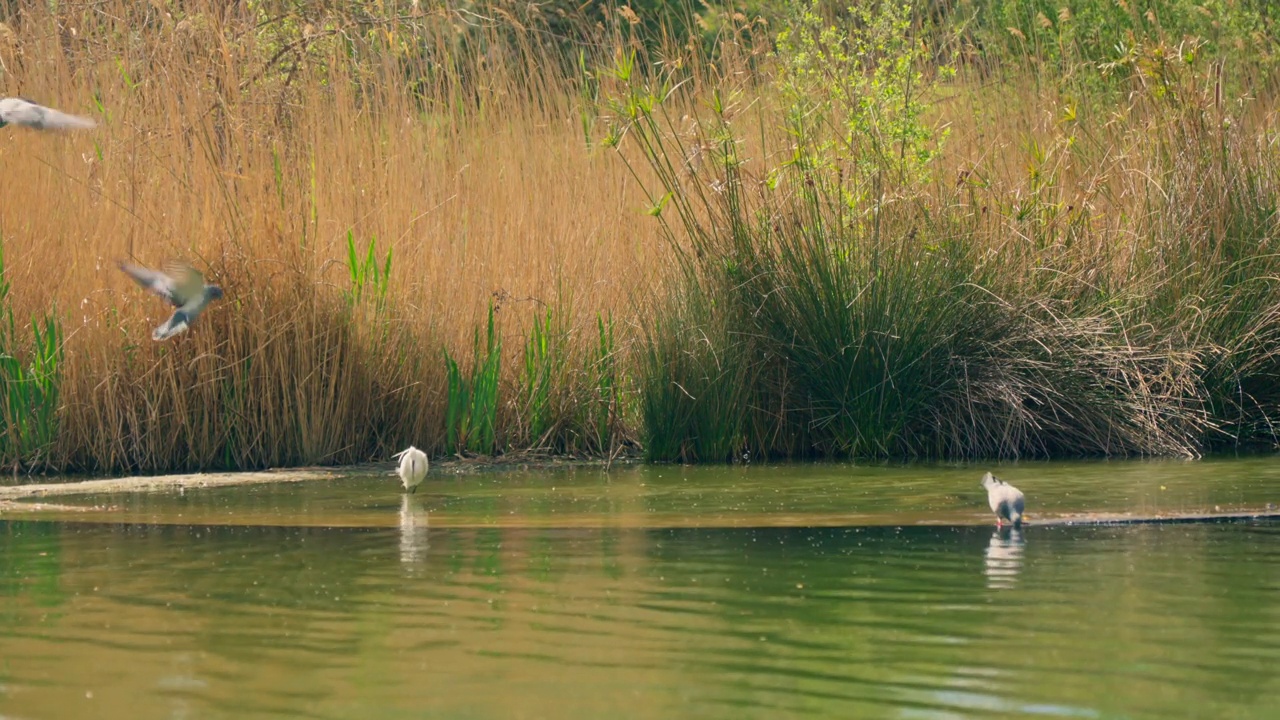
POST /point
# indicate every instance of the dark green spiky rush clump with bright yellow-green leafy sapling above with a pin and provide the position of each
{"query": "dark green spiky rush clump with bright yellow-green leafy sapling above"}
(804, 321)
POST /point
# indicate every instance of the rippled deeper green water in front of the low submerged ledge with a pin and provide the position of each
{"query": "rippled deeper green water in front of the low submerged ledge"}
(710, 623)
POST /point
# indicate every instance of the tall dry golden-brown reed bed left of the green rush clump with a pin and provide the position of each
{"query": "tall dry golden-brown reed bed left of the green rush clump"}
(491, 197)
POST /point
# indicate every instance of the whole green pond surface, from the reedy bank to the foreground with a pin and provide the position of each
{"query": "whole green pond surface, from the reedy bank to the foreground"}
(651, 593)
